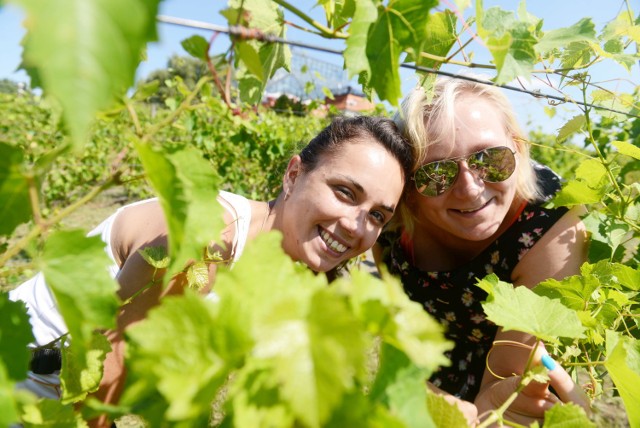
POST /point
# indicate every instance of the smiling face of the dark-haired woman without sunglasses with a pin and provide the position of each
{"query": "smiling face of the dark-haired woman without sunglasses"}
(337, 210)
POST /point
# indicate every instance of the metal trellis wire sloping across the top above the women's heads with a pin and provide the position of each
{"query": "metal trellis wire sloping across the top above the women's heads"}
(254, 34)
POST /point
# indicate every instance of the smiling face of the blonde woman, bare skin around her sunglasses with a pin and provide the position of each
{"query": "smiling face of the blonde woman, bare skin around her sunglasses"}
(471, 209)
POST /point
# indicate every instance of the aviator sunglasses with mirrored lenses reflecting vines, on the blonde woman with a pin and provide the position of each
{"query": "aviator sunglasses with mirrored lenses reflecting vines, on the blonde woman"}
(492, 165)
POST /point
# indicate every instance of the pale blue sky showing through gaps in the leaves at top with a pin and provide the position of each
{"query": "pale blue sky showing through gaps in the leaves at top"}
(554, 13)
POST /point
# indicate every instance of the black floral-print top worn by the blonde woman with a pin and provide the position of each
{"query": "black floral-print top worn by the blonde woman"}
(454, 300)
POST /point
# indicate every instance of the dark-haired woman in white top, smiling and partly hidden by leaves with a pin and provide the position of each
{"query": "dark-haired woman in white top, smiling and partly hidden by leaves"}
(332, 207)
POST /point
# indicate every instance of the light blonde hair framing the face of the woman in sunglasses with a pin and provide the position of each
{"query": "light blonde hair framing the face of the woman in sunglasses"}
(429, 119)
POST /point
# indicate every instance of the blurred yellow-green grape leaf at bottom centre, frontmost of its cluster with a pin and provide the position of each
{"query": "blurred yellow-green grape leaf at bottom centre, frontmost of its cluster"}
(312, 356)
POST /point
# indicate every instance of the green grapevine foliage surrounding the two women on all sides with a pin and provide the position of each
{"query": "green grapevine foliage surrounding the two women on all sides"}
(281, 345)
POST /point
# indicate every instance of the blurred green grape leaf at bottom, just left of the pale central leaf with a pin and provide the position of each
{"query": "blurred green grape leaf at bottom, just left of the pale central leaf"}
(174, 358)
